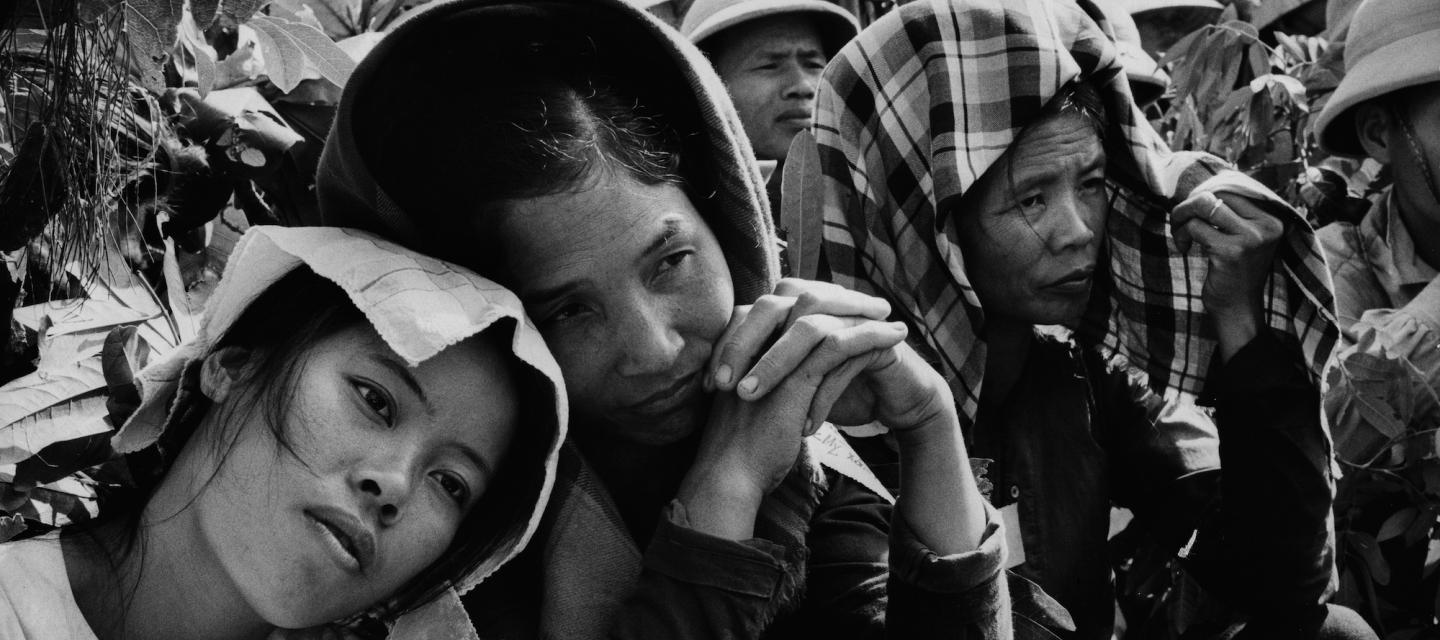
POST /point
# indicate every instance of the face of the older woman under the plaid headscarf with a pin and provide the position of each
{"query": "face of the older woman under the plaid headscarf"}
(1032, 233)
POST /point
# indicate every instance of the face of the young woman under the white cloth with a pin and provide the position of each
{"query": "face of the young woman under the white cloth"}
(385, 463)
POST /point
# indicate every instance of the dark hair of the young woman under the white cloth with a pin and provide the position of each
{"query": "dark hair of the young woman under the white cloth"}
(280, 329)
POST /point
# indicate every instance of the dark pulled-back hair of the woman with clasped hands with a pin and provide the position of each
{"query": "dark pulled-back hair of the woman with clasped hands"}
(542, 125)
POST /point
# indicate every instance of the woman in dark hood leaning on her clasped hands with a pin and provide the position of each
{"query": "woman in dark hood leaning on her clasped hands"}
(590, 161)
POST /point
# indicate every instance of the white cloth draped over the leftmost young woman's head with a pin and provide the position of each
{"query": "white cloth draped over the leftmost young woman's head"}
(420, 306)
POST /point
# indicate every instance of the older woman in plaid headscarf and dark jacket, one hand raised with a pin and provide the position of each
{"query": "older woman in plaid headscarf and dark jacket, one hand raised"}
(990, 175)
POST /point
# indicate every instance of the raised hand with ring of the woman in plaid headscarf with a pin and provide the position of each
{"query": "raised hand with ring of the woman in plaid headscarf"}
(1239, 240)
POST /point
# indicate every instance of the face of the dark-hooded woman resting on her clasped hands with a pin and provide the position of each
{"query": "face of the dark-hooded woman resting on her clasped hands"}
(630, 289)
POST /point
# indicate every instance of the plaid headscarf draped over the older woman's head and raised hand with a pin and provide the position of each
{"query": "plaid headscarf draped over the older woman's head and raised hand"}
(915, 110)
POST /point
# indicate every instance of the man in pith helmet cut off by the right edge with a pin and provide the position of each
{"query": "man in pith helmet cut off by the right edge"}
(1387, 292)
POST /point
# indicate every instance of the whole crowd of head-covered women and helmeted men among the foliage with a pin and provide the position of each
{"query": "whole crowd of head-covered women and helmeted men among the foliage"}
(538, 370)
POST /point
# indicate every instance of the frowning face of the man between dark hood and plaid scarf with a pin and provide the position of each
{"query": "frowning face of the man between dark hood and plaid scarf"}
(771, 68)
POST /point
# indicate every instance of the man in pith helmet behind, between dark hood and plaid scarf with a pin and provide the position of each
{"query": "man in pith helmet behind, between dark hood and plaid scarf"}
(770, 54)
